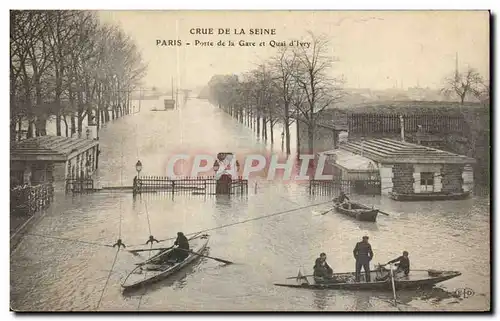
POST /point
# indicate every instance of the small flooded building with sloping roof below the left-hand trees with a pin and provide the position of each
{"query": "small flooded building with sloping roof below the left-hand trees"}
(52, 159)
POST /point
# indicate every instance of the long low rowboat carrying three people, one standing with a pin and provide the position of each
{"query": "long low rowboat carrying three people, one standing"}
(346, 281)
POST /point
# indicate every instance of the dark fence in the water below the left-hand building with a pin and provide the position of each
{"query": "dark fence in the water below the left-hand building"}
(27, 199)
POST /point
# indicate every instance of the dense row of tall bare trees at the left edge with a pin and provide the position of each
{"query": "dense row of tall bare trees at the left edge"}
(66, 65)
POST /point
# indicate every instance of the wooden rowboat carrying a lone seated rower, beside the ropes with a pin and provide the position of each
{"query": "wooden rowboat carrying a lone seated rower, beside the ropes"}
(150, 271)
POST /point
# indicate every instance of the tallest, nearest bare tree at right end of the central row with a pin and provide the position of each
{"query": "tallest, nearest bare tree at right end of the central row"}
(318, 89)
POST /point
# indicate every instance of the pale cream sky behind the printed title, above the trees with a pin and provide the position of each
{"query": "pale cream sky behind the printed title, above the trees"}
(375, 49)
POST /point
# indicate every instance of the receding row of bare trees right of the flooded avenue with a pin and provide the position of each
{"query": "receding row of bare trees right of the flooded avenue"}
(297, 84)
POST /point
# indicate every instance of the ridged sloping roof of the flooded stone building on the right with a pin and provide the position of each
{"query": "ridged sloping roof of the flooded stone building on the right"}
(392, 152)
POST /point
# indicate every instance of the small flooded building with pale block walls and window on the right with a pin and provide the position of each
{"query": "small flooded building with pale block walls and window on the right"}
(411, 170)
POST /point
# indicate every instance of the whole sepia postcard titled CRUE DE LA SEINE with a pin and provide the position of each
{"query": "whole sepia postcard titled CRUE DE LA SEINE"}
(250, 161)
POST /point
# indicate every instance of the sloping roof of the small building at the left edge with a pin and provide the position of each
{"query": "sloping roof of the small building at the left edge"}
(49, 148)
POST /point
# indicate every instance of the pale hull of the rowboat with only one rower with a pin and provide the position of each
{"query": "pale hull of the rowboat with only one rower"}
(141, 276)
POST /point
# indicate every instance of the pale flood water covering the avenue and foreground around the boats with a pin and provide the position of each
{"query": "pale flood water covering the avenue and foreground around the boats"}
(58, 275)
